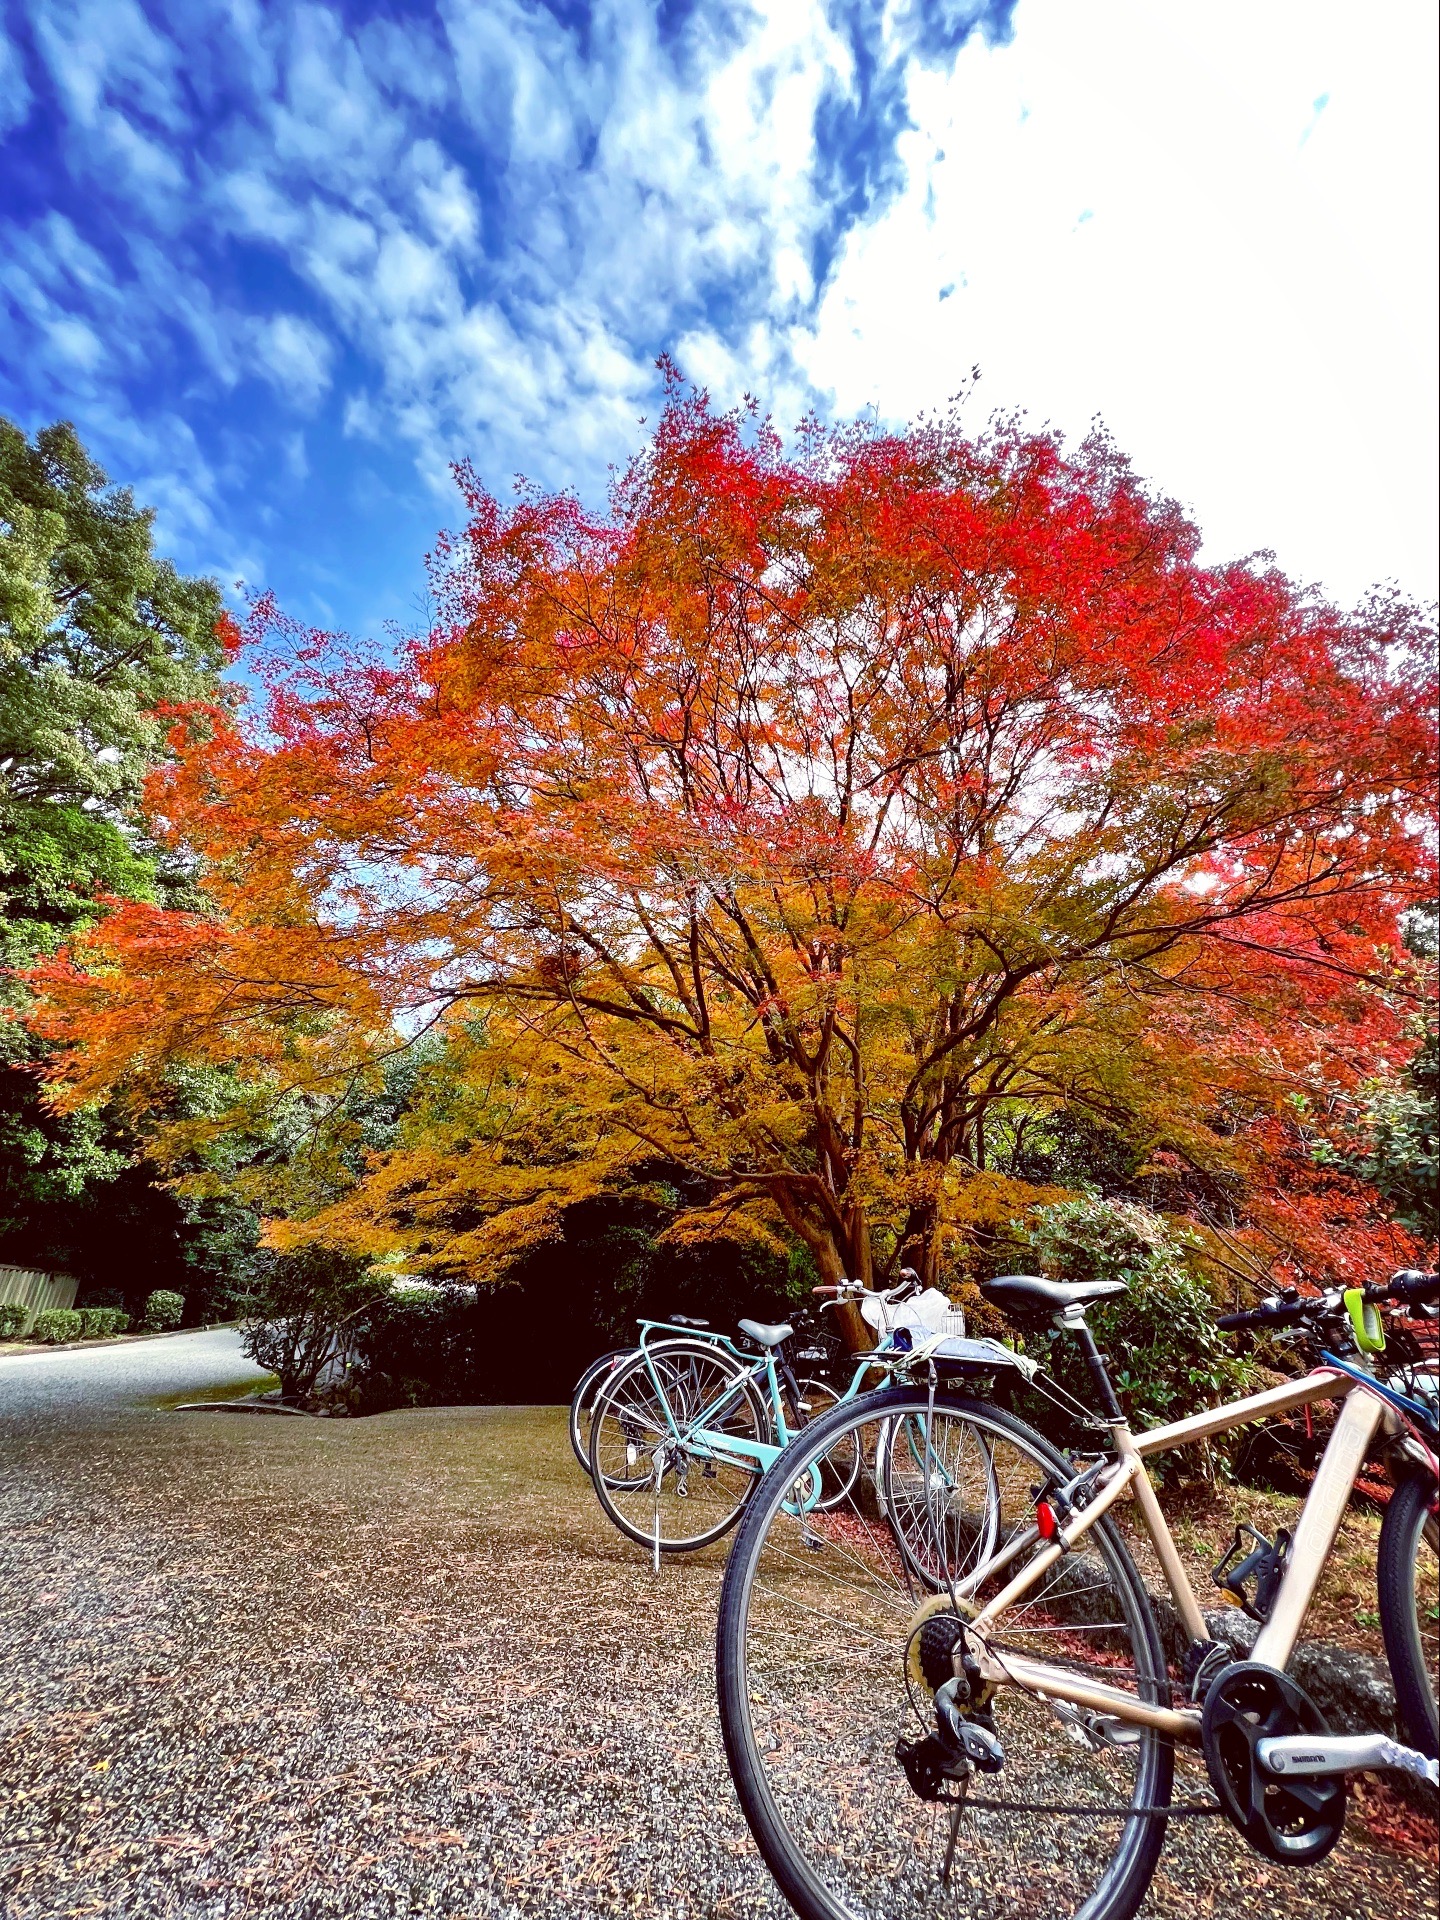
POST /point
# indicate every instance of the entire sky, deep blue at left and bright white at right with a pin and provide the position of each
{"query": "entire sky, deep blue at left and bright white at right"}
(283, 262)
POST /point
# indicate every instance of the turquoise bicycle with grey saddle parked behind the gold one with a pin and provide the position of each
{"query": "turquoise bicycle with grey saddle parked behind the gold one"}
(684, 1431)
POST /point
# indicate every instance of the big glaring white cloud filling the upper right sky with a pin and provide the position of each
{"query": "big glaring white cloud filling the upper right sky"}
(1151, 216)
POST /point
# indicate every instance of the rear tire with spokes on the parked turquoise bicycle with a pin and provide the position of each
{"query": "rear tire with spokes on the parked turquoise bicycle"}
(633, 1393)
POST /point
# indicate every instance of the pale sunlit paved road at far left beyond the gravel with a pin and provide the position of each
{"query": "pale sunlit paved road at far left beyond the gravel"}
(95, 1381)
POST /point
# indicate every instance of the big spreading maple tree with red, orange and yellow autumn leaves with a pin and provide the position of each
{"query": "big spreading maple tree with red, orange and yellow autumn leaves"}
(792, 823)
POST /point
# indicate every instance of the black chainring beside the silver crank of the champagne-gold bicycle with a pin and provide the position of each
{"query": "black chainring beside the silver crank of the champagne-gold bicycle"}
(1291, 1821)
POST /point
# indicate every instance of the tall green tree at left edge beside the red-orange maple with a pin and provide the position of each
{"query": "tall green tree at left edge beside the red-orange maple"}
(97, 636)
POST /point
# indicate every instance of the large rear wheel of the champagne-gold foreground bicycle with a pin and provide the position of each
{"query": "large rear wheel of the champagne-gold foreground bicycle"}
(830, 1652)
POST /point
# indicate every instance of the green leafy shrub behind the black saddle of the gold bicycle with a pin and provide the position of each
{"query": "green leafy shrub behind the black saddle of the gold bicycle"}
(1166, 1355)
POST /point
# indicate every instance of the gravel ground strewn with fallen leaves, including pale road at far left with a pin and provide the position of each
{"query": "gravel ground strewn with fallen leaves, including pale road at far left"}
(381, 1669)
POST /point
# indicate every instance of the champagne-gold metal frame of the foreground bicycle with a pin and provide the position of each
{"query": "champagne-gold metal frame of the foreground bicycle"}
(1356, 1426)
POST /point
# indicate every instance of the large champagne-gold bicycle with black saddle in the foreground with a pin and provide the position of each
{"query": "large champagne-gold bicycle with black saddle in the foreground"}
(1007, 1744)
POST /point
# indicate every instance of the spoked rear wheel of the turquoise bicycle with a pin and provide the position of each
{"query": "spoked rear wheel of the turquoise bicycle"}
(661, 1485)
